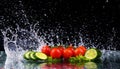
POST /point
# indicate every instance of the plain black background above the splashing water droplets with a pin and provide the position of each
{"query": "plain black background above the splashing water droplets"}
(95, 16)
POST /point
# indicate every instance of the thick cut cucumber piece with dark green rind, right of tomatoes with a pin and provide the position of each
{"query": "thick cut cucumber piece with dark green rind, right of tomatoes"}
(92, 54)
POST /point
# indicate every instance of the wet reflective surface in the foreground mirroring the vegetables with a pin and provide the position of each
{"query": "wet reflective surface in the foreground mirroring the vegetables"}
(109, 60)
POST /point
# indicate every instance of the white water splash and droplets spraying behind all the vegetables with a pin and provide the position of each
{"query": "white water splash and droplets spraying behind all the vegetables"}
(33, 36)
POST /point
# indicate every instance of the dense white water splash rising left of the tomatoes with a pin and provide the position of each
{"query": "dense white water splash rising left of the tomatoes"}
(15, 44)
